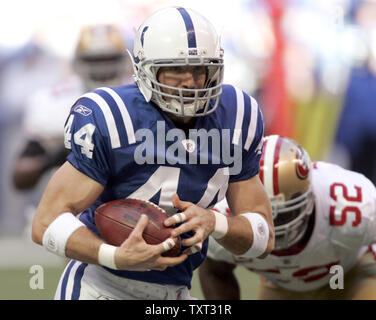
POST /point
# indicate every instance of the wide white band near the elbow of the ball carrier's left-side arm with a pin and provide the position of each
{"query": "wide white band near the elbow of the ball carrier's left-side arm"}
(58, 232)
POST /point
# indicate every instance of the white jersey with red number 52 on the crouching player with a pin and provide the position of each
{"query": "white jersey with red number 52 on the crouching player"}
(344, 225)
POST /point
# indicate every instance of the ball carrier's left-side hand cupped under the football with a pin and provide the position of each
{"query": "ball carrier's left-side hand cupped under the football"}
(135, 254)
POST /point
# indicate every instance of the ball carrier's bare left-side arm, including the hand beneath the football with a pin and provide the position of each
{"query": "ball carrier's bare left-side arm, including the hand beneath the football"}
(69, 190)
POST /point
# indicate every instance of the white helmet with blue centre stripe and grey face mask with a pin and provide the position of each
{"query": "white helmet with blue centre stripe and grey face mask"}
(175, 37)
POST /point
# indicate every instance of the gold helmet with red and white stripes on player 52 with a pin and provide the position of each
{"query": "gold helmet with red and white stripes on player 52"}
(285, 171)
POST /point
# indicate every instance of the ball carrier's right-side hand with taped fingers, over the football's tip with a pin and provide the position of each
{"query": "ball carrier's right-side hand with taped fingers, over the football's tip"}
(199, 220)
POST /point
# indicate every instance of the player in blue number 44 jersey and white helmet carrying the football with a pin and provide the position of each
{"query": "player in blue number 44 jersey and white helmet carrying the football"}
(178, 138)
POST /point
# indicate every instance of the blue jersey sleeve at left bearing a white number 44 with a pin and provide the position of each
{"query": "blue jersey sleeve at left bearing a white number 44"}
(86, 134)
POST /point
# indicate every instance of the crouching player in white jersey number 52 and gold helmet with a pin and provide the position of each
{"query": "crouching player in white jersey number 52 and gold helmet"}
(325, 223)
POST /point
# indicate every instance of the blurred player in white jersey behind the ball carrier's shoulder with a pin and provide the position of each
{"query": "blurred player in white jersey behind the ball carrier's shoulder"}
(99, 59)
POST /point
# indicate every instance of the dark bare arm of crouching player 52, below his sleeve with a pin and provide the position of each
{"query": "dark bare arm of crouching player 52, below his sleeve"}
(218, 281)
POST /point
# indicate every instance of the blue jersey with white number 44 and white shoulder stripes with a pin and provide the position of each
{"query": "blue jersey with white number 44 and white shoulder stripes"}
(135, 150)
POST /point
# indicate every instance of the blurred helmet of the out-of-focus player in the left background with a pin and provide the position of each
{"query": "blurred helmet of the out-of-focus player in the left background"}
(100, 56)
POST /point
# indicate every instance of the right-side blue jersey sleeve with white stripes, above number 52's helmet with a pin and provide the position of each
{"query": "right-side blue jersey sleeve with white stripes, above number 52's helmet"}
(252, 142)
